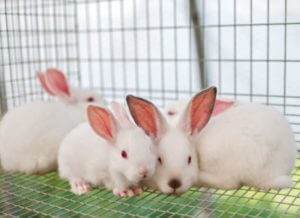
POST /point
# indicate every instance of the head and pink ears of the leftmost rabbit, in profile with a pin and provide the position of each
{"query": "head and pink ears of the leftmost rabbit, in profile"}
(55, 83)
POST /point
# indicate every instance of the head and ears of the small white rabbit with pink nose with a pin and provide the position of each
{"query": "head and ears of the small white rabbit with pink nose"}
(132, 154)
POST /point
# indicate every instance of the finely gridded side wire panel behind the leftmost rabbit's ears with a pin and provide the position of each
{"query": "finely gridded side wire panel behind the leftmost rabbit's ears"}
(34, 35)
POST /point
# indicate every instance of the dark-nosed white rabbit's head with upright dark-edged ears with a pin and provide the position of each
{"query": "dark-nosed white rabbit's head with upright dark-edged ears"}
(177, 165)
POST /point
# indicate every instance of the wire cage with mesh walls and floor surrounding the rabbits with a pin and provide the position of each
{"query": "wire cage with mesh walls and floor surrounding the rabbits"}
(160, 50)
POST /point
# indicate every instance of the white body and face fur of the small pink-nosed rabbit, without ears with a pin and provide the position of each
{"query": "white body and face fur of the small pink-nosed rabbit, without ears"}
(87, 157)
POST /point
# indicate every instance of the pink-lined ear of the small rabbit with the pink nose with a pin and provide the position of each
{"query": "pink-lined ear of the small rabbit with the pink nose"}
(102, 122)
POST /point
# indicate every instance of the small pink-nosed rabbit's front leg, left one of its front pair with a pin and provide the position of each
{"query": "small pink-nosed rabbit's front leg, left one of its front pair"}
(121, 186)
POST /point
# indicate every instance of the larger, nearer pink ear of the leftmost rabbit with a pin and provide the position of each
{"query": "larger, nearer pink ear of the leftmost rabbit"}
(57, 83)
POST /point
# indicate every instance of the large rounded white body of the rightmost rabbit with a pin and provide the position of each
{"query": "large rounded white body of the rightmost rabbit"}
(249, 144)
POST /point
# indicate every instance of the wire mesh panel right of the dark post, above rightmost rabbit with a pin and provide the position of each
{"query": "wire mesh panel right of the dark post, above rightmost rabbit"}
(251, 52)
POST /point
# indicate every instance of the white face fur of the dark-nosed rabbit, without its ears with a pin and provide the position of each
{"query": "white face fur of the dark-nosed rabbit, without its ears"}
(174, 149)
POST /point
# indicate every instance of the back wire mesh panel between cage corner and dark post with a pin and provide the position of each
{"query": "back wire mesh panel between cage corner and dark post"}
(140, 47)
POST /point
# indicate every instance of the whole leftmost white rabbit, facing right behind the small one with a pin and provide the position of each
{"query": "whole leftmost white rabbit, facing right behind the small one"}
(30, 134)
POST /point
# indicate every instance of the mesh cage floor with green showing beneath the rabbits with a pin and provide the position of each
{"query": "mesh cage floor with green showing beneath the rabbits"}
(41, 196)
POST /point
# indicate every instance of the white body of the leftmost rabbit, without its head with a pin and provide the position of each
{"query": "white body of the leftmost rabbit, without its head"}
(30, 135)
